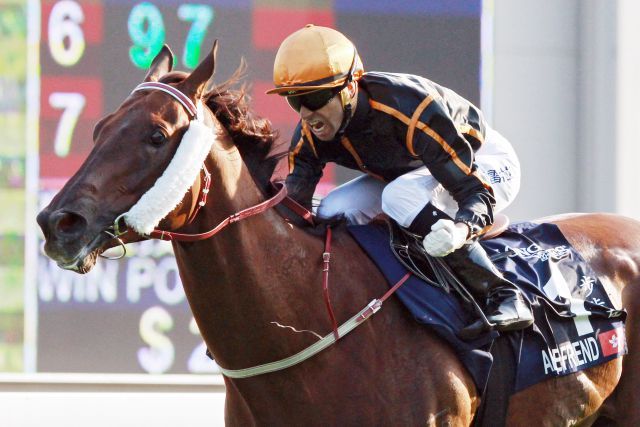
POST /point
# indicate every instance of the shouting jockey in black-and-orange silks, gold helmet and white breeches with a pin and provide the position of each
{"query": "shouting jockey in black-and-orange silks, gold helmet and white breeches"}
(427, 153)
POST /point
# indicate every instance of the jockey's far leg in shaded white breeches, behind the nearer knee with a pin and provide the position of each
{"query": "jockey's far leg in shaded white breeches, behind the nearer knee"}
(359, 200)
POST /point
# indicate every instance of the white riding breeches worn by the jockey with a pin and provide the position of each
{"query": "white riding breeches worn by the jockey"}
(363, 198)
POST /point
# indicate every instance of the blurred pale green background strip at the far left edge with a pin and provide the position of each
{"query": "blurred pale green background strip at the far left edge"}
(13, 74)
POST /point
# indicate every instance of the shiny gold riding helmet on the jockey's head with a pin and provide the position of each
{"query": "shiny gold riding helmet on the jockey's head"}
(315, 58)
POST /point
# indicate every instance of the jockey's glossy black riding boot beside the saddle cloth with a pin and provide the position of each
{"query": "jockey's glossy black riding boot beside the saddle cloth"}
(505, 306)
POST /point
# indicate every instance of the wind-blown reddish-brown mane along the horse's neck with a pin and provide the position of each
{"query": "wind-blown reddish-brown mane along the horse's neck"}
(254, 136)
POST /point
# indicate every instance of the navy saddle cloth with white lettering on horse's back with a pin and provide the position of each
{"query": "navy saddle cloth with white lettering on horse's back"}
(576, 325)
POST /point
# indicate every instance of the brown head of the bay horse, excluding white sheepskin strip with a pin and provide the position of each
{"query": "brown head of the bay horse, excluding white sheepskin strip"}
(132, 147)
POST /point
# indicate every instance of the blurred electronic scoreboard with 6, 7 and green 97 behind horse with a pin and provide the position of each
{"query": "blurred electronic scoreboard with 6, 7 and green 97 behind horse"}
(130, 315)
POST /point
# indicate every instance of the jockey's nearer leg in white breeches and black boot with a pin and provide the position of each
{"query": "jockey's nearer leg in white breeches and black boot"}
(416, 201)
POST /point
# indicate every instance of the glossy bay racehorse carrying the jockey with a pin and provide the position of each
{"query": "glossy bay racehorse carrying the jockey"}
(255, 288)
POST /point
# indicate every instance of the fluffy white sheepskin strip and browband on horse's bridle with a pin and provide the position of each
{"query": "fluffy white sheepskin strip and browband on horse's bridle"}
(169, 190)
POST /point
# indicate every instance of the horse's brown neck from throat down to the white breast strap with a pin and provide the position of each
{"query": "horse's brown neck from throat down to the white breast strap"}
(251, 274)
